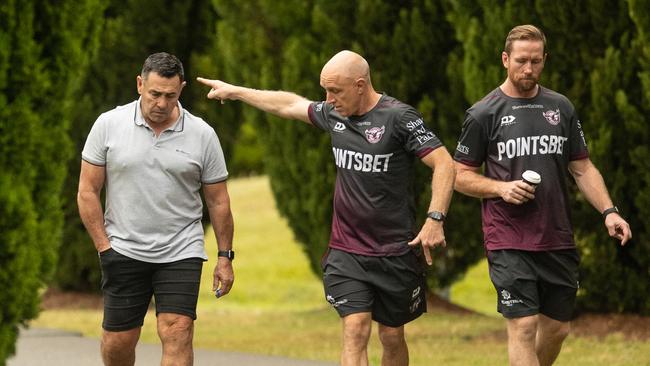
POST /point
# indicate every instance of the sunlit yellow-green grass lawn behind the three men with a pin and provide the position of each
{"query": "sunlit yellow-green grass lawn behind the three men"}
(277, 306)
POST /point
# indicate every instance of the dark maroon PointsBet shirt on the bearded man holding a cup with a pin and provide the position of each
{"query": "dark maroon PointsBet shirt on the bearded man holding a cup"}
(512, 135)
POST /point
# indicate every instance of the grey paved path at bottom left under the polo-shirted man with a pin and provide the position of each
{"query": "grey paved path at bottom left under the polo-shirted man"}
(49, 347)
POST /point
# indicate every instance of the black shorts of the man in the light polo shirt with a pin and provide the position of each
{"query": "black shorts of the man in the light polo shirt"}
(128, 285)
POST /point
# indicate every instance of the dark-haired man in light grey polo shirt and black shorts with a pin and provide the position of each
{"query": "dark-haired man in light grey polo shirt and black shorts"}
(154, 157)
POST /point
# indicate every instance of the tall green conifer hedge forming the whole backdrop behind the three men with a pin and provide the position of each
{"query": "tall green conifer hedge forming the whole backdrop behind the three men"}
(63, 63)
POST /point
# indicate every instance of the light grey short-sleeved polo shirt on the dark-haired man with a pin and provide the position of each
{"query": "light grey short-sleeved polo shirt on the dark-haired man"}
(153, 203)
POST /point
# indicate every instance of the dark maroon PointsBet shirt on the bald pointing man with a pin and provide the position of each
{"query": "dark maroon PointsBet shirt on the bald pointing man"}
(374, 206)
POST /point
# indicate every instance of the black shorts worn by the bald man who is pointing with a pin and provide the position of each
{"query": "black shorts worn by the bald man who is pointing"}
(391, 288)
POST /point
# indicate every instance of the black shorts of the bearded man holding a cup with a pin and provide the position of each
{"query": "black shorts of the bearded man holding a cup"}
(530, 283)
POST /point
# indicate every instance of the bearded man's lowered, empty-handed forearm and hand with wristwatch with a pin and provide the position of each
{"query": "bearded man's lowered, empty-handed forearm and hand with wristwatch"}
(591, 184)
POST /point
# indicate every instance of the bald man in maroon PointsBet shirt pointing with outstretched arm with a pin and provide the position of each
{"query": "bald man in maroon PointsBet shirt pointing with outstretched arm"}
(373, 269)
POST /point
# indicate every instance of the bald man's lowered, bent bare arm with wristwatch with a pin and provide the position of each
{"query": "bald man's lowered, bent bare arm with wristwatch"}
(442, 186)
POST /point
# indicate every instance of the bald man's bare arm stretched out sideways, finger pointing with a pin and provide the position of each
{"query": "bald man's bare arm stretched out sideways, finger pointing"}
(280, 103)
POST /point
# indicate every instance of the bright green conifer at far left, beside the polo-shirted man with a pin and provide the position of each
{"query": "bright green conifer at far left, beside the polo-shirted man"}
(44, 54)
